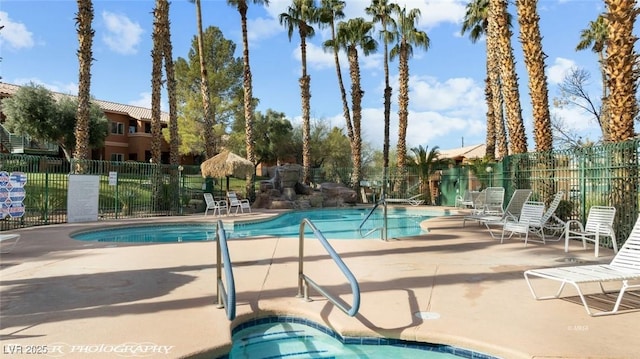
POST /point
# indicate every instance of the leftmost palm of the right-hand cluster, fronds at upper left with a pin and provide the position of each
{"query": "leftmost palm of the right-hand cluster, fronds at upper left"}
(476, 22)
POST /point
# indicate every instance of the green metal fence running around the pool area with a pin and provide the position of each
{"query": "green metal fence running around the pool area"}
(598, 175)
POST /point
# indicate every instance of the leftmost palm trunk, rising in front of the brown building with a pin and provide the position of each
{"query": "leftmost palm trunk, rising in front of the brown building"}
(84, 19)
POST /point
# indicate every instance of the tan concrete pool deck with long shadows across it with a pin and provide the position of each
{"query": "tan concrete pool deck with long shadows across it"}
(104, 300)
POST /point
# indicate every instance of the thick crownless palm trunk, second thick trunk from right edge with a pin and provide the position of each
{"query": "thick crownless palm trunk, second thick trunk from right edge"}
(534, 60)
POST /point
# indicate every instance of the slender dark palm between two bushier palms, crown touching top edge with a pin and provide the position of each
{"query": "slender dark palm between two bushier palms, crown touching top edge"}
(381, 11)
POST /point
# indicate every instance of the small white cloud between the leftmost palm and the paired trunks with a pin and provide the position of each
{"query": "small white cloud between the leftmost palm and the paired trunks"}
(123, 36)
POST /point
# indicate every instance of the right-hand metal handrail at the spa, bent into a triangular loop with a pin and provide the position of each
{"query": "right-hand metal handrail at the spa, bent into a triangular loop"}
(304, 281)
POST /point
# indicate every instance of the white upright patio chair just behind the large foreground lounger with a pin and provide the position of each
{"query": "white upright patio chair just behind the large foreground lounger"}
(599, 223)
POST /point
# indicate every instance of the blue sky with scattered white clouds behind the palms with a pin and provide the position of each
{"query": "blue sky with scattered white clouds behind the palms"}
(447, 107)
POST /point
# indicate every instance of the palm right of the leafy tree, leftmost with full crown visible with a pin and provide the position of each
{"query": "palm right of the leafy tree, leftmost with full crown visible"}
(299, 16)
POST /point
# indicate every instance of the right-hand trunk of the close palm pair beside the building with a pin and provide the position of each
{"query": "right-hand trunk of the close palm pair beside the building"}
(167, 55)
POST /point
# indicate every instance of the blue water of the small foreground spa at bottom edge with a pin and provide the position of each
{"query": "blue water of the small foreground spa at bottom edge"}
(291, 337)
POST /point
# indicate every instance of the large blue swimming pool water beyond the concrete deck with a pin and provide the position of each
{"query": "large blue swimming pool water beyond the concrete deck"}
(333, 223)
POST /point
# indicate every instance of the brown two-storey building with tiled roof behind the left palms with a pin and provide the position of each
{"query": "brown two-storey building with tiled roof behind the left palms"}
(129, 137)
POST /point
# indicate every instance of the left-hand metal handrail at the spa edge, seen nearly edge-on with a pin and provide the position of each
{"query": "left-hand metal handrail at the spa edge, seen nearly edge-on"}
(226, 299)
